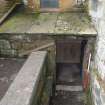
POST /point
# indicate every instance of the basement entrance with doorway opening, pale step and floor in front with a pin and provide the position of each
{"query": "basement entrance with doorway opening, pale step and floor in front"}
(69, 58)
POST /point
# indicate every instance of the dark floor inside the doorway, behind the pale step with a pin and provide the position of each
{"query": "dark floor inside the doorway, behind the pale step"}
(68, 74)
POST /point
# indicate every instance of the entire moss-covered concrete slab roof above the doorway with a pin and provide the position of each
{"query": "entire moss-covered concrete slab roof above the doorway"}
(52, 23)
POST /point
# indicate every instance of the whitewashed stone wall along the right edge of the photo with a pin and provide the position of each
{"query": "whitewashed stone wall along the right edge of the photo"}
(97, 12)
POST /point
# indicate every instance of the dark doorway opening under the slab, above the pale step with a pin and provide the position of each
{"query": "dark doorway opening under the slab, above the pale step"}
(69, 56)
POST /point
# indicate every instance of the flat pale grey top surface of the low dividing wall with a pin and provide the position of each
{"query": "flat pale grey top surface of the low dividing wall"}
(25, 83)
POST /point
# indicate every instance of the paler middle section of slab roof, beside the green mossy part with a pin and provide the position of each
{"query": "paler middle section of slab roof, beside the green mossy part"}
(44, 24)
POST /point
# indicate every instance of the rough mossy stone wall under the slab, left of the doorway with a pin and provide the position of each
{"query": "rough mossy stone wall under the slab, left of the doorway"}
(18, 45)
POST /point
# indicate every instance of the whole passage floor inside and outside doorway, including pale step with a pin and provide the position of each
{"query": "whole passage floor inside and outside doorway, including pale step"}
(69, 89)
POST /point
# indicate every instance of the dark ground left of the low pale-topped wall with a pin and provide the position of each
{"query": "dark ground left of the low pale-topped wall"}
(9, 67)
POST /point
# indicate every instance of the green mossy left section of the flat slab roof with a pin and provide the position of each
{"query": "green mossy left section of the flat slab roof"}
(13, 24)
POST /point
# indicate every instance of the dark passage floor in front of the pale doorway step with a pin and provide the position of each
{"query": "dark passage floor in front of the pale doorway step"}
(68, 98)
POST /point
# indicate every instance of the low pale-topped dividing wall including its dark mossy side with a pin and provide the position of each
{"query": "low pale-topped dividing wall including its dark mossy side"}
(29, 85)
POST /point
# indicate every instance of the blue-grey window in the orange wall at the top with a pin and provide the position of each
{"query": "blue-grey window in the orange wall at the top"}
(49, 3)
